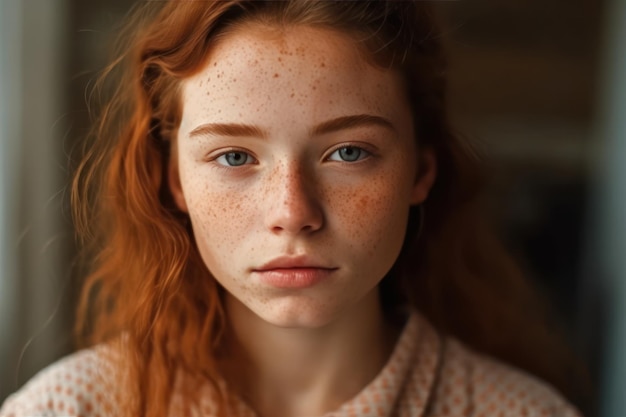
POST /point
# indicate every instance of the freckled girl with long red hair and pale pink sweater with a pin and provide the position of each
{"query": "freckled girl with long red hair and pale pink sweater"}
(281, 223)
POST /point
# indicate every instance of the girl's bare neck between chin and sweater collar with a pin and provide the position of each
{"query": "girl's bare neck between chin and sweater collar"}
(295, 371)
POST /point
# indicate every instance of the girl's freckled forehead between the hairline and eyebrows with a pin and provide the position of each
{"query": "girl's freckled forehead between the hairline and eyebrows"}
(257, 71)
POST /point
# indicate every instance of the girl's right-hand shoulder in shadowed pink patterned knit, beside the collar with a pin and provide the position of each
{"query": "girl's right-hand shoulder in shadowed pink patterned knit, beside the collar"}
(471, 384)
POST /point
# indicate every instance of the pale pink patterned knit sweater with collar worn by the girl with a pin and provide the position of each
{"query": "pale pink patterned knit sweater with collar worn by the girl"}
(425, 376)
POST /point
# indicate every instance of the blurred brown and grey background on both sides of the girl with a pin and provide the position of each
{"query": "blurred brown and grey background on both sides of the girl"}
(539, 85)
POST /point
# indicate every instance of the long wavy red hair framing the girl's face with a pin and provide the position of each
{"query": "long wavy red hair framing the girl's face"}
(146, 280)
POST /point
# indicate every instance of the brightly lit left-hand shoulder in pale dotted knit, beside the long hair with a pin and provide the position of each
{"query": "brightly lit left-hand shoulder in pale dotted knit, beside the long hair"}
(81, 384)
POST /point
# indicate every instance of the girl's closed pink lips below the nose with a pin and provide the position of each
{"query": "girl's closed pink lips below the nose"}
(293, 272)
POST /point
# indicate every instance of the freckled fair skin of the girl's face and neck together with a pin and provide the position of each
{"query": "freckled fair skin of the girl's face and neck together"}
(296, 196)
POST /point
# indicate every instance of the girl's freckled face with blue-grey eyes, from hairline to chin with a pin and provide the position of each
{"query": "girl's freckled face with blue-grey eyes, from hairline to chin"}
(296, 162)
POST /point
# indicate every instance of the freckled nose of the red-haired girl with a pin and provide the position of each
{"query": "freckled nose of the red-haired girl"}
(293, 204)
